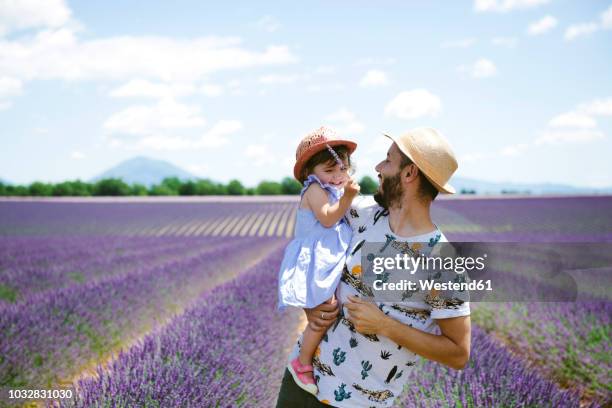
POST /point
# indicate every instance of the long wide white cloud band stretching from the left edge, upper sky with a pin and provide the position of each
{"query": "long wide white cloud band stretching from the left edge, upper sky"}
(59, 54)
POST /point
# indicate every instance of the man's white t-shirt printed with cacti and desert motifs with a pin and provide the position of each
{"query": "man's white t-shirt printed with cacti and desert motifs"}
(354, 370)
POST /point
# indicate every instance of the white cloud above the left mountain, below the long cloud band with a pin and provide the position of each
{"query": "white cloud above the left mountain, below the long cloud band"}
(167, 114)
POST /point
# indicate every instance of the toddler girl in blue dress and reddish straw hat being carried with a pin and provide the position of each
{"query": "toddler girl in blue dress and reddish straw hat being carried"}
(314, 259)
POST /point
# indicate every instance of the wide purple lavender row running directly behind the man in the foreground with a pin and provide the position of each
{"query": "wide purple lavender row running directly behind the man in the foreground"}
(211, 356)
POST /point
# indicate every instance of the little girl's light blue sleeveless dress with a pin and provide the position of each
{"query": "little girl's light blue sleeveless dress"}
(314, 259)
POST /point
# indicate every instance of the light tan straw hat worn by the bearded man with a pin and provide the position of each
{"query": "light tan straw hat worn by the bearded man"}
(431, 153)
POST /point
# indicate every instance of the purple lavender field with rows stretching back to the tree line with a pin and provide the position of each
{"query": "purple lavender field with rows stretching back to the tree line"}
(153, 303)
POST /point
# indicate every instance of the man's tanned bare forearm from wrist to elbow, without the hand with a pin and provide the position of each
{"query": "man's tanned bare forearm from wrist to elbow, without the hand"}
(434, 347)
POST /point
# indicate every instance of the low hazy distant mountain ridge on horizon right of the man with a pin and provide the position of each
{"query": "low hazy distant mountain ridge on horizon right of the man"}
(493, 187)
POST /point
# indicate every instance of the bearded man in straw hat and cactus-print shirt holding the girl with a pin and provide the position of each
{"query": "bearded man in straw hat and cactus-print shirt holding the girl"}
(369, 347)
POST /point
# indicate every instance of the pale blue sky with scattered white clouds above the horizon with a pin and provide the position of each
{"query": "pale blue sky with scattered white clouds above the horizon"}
(521, 88)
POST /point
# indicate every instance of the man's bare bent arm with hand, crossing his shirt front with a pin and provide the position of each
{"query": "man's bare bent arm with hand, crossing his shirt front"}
(451, 348)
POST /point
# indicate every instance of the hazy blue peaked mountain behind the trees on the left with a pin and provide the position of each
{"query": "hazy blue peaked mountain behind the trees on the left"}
(145, 171)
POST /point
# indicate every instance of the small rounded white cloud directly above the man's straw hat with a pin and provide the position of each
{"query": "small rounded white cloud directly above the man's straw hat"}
(414, 104)
